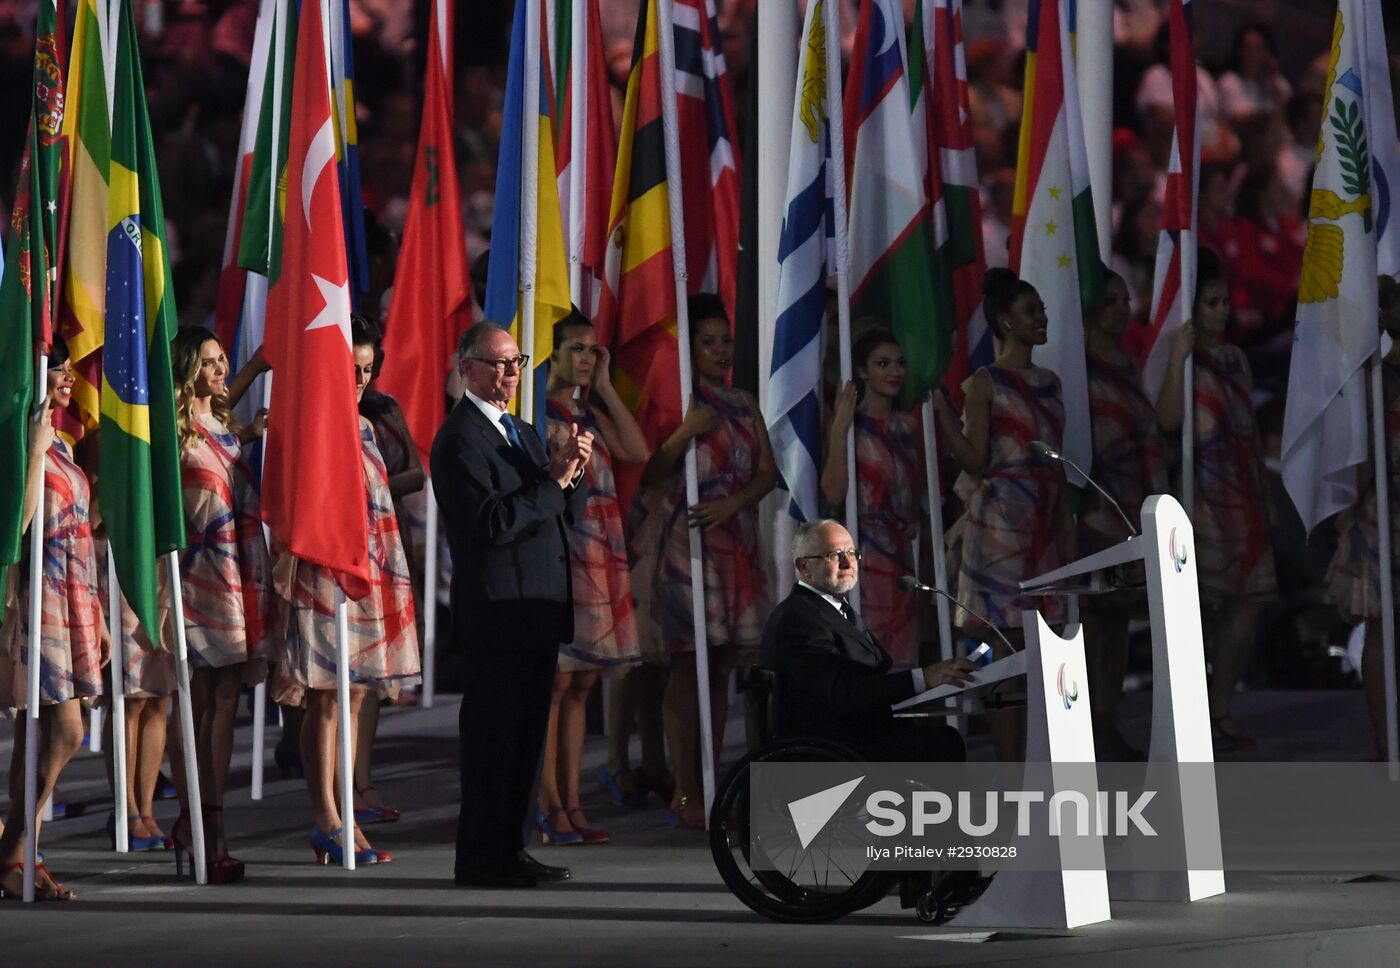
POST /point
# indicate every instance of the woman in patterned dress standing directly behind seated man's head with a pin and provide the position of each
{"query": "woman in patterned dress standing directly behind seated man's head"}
(890, 490)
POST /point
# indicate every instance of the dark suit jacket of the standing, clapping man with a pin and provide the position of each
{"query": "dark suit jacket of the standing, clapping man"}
(507, 526)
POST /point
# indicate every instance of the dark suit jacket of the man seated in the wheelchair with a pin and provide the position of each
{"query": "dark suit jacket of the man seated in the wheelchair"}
(832, 676)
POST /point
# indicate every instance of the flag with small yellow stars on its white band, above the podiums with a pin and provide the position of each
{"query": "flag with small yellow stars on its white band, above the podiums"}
(1055, 246)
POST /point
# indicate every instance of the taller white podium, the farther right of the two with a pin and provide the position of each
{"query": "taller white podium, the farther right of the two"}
(1181, 710)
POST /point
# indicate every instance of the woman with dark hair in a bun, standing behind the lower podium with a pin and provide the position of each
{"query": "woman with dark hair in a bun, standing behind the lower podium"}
(1017, 522)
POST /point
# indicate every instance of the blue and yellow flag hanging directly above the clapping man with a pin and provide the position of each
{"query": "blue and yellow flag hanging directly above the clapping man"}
(524, 250)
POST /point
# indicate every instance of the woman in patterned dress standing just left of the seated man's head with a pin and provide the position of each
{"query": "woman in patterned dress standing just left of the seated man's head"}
(736, 471)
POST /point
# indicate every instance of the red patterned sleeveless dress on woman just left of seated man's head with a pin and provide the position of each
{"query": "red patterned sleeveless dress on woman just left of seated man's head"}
(736, 589)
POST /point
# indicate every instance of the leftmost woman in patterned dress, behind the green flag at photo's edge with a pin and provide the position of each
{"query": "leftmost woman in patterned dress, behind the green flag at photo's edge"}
(73, 639)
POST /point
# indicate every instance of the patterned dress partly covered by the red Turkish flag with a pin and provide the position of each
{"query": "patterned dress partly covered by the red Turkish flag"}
(384, 644)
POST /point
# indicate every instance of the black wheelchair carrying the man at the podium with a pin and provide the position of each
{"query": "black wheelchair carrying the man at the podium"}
(827, 880)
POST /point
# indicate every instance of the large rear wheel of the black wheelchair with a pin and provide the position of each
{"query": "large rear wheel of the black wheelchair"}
(806, 886)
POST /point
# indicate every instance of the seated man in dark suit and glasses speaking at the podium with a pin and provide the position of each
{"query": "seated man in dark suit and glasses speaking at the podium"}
(832, 677)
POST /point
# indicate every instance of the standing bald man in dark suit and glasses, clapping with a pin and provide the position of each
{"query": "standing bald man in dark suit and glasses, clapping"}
(506, 505)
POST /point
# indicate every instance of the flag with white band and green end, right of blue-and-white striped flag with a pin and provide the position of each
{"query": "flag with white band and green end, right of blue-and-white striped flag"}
(892, 250)
